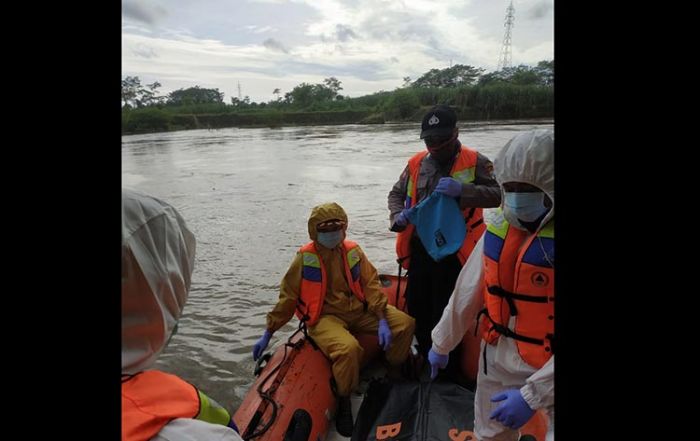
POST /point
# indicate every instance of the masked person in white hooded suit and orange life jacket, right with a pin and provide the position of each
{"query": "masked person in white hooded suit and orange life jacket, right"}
(509, 279)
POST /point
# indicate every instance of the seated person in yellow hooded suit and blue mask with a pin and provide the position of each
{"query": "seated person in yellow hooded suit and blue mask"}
(334, 288)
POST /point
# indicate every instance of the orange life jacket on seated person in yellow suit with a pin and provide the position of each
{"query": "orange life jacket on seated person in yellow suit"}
(313, 280)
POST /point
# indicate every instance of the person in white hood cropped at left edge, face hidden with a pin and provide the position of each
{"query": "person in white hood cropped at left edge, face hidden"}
(157, 263)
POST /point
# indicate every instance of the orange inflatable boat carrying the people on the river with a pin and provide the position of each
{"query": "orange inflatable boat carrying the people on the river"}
(292, 397)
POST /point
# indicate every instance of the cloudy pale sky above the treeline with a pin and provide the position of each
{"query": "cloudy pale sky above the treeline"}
(368, 45)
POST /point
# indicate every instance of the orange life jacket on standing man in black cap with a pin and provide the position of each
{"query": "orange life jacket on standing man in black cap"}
(464, 171)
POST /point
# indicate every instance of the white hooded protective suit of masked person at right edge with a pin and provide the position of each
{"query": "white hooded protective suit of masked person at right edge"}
(528, 158)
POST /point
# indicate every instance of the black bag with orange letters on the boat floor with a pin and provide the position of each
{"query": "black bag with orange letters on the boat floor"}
(420, 411)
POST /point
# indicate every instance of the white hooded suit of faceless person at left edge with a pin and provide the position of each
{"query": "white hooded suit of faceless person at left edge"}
(157, 262)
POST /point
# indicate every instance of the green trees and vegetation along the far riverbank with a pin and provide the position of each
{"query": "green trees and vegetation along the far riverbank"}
(518, 92)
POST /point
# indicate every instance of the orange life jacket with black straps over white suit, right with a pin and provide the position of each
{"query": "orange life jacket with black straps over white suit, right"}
(519, 282)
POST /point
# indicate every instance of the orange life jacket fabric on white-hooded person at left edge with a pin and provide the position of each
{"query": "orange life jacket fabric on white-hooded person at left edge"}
(151, 399)
